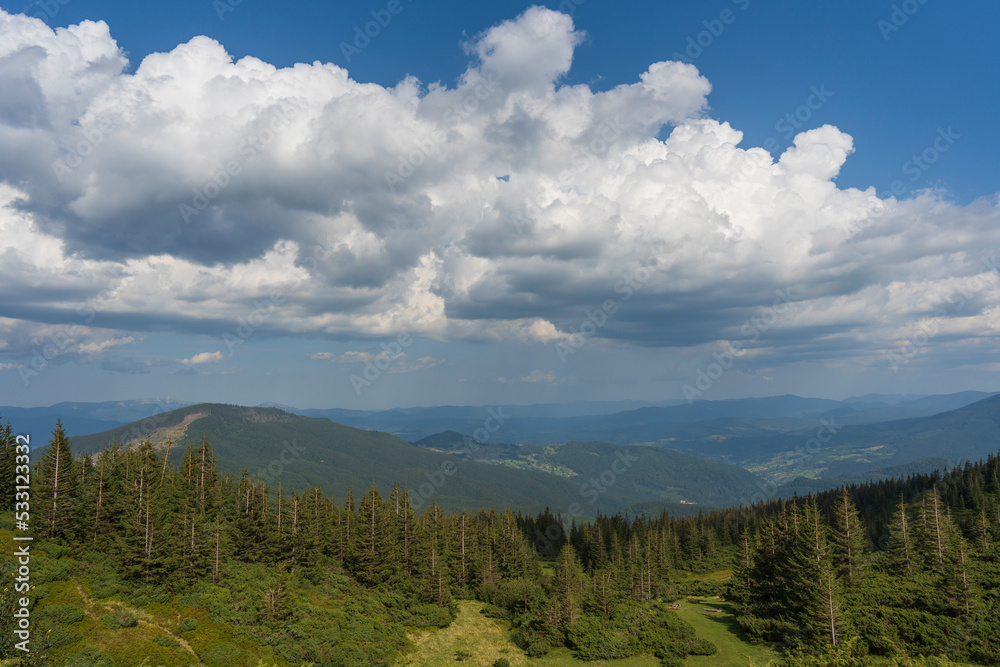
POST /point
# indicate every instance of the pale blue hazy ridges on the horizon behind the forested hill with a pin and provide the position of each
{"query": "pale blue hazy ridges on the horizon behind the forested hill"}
(621, 422)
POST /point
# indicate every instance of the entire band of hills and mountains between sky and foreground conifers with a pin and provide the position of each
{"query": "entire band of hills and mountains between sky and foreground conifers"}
(867, 436)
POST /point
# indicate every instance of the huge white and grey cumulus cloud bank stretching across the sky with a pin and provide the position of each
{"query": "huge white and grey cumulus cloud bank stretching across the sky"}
(119, 215)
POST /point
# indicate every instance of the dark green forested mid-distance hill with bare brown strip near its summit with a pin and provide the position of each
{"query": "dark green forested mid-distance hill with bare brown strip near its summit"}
(306, 451)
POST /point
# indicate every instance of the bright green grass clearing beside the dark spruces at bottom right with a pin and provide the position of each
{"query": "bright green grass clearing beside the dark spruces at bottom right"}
(721, 630)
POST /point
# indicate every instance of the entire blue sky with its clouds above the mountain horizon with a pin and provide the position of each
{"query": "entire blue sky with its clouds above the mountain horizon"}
(399, 203)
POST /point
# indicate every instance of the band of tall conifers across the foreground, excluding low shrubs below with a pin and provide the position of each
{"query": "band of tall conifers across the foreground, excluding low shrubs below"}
(907, 565)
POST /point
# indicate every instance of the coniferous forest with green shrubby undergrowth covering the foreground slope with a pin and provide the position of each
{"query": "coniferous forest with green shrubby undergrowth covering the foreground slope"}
(870, 574)
